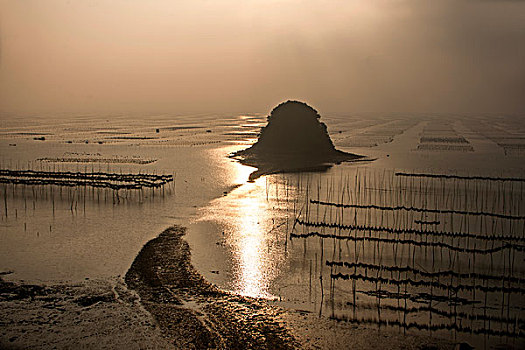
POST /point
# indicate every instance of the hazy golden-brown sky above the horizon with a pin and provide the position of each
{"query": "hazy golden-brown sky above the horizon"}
(179, 56)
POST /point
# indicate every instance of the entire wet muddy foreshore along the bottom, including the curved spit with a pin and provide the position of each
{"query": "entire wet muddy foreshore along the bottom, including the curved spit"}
(164, 303)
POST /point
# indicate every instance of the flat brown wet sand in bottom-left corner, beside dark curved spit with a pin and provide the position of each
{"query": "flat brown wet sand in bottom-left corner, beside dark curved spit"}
(101, 314)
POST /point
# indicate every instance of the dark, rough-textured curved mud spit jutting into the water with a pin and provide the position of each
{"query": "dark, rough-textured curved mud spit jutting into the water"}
(193, 313)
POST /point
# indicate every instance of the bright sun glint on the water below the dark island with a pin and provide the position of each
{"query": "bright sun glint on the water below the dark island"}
(247, 218)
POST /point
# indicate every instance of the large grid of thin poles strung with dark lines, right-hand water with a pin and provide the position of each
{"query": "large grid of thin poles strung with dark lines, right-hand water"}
(436, 253)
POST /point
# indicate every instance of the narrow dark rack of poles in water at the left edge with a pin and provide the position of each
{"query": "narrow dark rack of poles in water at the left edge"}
(73, 186)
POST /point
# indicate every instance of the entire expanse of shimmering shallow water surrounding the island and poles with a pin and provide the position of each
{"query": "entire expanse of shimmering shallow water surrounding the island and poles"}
(240, 231)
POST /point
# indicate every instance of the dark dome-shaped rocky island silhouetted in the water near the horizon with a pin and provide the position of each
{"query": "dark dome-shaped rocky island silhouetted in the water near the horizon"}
(293, 140)
